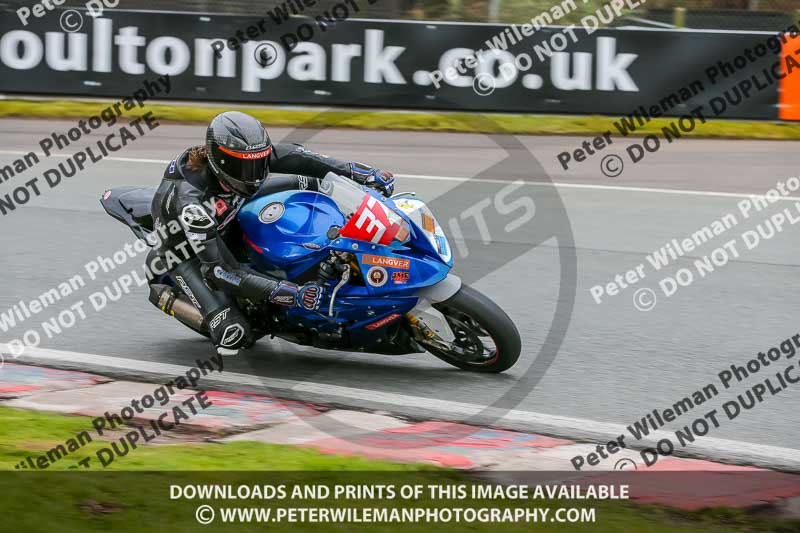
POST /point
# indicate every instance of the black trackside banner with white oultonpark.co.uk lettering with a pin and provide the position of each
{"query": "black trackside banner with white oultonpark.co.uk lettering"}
(388, 64)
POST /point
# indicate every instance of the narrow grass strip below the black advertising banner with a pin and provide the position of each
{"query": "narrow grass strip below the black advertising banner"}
(412, 121)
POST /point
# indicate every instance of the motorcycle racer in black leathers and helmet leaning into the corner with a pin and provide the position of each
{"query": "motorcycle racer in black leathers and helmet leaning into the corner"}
(203, 190)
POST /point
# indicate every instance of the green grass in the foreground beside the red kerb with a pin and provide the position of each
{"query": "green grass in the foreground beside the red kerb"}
(133, 494)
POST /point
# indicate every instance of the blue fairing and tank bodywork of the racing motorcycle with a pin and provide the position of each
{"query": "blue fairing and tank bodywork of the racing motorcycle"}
(278, 239)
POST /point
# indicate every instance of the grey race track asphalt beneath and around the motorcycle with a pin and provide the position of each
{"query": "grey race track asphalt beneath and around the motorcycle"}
(616, 363)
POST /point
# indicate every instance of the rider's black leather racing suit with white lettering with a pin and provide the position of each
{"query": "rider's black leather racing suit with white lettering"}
(206, 214)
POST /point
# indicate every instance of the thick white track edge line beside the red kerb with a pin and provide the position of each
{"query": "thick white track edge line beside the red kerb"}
(577, 428)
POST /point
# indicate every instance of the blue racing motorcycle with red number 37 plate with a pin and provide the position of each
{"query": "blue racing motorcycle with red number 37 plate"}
(385, 263)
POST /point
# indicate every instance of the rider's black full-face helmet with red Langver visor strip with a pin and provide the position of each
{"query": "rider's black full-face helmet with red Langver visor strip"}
(238, 151)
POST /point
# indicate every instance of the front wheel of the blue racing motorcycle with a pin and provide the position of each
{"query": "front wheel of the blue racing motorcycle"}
(486, 340)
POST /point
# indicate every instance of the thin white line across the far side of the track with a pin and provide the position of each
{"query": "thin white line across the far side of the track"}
(458, 179)
